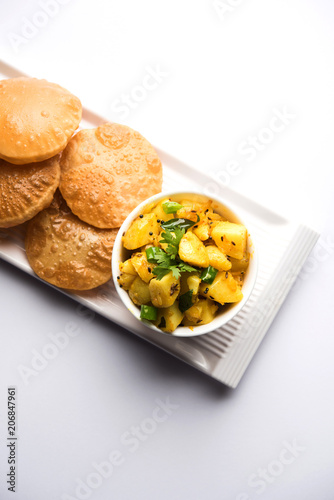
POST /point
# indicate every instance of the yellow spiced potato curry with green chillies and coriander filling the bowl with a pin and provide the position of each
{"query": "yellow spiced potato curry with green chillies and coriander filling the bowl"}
(185, 263)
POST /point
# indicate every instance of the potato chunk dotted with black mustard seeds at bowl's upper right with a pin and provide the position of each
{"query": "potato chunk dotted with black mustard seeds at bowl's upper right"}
(230, 238)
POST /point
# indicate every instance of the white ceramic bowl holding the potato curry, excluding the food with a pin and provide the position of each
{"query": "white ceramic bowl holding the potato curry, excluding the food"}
(120, 254)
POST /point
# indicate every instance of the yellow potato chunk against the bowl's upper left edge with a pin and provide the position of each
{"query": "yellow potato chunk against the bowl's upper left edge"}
(142, 231)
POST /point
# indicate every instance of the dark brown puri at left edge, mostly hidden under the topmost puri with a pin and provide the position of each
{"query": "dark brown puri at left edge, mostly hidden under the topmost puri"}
(25, 190)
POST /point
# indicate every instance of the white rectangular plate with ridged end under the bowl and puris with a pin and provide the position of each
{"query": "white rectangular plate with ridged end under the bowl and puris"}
(224, 354)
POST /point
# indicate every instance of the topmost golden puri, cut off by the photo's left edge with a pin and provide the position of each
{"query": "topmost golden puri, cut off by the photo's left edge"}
(37, 119)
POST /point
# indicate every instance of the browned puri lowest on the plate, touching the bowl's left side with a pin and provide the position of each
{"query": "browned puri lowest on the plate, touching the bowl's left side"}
(67, 252)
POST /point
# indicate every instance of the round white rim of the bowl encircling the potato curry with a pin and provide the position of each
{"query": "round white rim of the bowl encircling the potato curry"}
(218, 321)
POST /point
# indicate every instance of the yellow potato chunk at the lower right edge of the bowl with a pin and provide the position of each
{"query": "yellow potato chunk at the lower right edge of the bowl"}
(224, 289)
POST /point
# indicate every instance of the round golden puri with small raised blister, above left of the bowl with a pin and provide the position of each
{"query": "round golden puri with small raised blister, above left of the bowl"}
(106, 172)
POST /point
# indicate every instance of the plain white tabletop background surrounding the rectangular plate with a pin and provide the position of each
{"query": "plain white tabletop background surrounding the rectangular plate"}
(224, 70)
